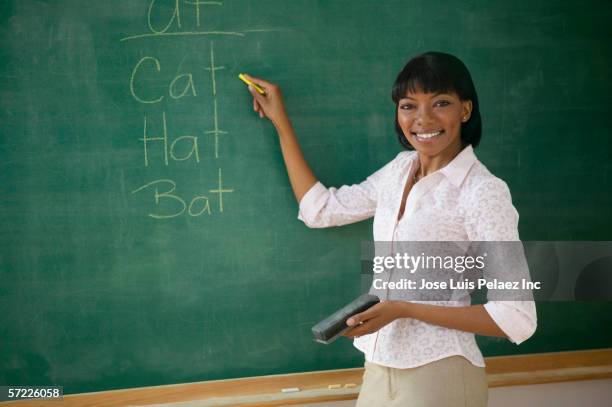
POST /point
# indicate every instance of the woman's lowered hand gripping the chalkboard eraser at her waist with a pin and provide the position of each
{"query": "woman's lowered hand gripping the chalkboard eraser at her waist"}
(372, 319)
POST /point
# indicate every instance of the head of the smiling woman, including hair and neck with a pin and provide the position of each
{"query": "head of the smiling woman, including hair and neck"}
(437, 108)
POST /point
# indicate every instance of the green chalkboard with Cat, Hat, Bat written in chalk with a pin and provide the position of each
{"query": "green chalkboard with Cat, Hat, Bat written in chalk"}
(149, 234)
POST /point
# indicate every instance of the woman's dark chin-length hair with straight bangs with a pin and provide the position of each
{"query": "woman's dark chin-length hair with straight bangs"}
(437, 72)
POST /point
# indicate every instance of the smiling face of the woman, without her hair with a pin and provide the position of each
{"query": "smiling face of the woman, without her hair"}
(432, 121)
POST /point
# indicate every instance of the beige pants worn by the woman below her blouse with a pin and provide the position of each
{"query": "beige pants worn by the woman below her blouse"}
(451, 381)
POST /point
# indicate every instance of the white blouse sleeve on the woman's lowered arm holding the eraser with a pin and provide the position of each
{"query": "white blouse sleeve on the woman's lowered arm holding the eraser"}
(491, 217)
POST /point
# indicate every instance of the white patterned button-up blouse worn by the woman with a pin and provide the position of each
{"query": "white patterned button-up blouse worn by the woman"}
(462, 201)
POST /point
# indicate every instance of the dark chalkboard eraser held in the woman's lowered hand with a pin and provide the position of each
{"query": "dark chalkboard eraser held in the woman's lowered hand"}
(329, 329)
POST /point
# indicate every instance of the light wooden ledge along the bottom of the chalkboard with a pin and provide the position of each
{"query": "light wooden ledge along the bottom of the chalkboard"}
(314, 386)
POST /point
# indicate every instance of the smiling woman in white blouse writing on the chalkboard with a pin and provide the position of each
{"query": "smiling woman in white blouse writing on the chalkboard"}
(419, 354)
